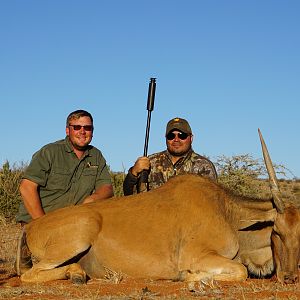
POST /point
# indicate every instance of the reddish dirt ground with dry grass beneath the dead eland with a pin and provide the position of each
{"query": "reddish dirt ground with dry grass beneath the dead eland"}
(126, 288)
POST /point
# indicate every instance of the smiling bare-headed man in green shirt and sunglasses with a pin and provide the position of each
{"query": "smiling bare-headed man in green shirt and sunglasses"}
(64, 173)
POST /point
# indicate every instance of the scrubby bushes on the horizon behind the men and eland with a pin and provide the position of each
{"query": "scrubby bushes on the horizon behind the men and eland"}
(242, 174)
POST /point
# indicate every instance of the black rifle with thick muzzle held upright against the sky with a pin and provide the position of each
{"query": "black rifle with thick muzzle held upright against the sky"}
(143, 180)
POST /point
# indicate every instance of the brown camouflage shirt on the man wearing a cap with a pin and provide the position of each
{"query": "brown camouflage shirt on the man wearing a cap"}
(162, 169)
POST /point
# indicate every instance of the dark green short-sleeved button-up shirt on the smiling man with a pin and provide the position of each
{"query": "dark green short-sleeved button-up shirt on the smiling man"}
(64, 179)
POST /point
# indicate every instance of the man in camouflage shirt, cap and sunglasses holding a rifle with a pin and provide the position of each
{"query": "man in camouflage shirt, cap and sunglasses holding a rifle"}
(179, 158)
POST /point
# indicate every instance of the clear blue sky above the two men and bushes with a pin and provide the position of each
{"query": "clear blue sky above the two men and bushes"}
(229, 67)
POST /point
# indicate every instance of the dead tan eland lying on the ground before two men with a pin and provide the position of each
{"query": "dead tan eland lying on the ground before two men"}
(189, 229)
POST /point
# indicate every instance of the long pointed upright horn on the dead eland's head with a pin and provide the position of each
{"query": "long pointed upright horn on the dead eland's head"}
(272, 176)
